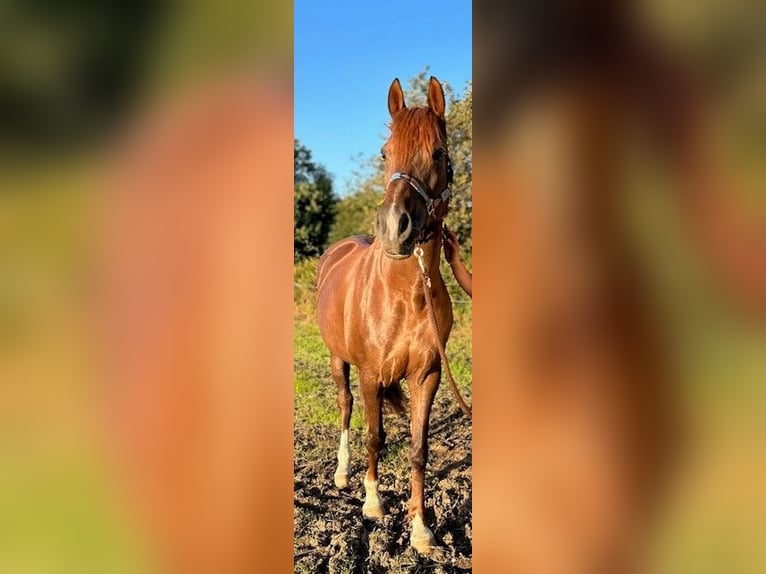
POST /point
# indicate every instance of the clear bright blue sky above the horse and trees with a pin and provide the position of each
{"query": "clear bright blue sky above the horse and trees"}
(346, 56)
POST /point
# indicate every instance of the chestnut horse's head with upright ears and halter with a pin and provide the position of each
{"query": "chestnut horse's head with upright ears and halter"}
(418, 172)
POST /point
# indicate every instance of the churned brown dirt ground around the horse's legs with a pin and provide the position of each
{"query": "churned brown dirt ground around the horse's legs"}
(330, 533)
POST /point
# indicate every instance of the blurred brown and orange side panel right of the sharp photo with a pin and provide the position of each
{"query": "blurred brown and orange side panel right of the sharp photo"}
(620, 264)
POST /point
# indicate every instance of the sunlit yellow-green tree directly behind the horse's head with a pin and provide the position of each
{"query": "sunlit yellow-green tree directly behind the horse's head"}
(356, 211)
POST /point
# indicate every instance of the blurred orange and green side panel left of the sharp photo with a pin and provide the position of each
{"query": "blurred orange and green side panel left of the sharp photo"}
(145, 199)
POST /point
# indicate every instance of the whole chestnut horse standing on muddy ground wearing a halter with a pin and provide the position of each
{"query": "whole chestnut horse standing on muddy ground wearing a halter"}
(371, 300)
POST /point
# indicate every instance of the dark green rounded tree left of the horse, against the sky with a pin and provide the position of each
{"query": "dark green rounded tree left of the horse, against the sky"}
(314, 205)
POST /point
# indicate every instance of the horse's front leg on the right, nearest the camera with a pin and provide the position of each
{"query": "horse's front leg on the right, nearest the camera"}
(421, 396)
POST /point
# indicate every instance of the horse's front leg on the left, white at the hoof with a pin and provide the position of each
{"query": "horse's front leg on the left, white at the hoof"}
(372, 394)
